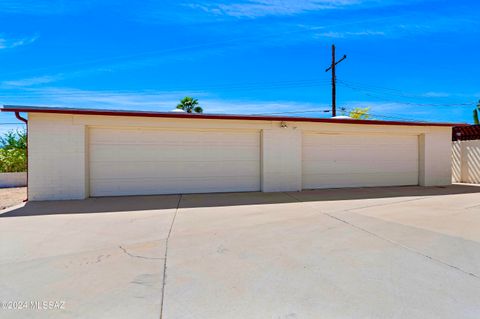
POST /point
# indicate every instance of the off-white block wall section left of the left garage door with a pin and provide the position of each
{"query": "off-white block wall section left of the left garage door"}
(56, 158)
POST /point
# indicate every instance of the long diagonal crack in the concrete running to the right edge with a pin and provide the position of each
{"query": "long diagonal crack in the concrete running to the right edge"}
(391, 241)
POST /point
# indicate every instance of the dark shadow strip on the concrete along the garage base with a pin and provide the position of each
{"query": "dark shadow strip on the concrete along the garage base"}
(162, 202)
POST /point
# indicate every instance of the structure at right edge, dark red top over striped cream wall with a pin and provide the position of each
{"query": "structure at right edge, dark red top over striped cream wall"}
(466, 154)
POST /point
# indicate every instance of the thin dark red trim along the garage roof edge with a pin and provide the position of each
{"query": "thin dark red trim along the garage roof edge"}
(33, 109)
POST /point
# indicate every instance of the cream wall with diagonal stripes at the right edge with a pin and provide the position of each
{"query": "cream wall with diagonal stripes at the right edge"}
(466, 162)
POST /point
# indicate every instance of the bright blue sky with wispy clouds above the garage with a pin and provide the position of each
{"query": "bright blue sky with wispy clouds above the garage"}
(408, 59)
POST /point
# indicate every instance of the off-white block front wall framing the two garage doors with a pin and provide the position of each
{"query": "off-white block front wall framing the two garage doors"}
(58, 165)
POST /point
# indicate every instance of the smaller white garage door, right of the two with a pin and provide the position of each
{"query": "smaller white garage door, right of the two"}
(354, 160)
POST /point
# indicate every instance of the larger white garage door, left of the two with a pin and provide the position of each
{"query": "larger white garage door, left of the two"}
(151, 161)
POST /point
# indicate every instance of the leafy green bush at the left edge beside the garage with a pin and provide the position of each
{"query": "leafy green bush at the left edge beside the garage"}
(13, 152)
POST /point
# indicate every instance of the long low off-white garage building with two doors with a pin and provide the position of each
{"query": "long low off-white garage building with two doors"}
(77, 153)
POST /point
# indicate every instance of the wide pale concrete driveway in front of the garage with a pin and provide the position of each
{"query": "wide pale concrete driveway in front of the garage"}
(404, 252)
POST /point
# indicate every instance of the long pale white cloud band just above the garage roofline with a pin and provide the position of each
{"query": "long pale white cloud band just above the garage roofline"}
(167, 100)
